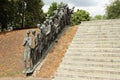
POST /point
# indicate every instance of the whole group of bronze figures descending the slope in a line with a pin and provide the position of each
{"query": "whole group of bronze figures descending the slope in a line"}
(38, 43)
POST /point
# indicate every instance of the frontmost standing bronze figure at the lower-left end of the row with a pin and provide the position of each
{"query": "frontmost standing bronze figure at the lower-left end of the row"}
(27, 51)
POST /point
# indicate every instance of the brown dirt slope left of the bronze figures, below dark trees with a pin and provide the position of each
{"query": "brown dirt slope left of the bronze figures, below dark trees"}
(11, 53)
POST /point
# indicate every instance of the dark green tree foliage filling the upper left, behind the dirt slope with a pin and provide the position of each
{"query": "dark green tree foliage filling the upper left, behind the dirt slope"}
(11, 13)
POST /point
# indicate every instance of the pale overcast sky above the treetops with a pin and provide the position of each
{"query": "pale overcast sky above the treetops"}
(94, 7)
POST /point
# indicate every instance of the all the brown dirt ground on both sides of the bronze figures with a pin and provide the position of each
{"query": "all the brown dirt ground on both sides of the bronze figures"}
(11, 54)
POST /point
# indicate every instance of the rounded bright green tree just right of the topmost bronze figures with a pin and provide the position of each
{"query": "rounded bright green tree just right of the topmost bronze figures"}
(80, 15)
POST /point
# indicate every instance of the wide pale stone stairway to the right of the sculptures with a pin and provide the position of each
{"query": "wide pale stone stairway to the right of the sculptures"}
(94, 53)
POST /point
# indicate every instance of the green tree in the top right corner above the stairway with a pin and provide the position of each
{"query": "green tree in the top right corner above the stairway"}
(113, 10)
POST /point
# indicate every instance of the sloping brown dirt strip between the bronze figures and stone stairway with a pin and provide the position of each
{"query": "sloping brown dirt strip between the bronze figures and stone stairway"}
(54, 57)
